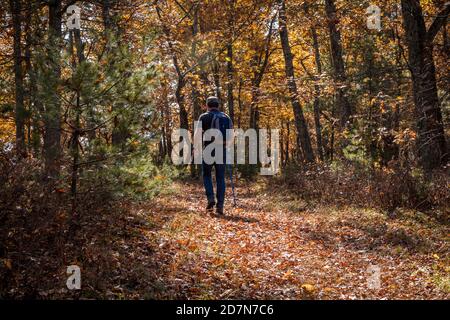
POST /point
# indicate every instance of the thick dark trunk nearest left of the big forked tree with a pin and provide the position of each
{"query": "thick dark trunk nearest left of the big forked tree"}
(337, 60)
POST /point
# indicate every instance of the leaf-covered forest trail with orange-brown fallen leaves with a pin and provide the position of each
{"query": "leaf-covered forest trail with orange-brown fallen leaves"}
(268, 248)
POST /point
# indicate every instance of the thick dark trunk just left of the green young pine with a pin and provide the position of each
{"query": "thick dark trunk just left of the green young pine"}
(52, 136)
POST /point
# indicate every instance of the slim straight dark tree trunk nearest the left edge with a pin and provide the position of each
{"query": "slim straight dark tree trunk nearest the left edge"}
(18, 76)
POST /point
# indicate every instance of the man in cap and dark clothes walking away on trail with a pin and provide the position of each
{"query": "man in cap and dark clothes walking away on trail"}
(215, 119)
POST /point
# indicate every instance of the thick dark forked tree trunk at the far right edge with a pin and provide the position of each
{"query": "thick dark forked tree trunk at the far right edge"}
(431, 138)
